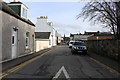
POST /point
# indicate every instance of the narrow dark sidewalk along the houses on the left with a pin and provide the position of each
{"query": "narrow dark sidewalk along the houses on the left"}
(17, 61)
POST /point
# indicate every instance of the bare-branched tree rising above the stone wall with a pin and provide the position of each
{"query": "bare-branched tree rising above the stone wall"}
(107, 13)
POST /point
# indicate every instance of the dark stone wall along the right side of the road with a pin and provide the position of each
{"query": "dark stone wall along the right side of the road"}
(108, 48)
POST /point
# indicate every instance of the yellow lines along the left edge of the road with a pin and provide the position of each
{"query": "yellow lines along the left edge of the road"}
(8, 72)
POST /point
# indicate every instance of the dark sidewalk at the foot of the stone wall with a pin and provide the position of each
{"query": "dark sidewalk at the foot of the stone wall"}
(107, 61)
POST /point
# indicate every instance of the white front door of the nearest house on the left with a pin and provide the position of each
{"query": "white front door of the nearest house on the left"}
(14, 44)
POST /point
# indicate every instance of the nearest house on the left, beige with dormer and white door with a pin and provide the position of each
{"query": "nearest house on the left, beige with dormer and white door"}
(16, 31)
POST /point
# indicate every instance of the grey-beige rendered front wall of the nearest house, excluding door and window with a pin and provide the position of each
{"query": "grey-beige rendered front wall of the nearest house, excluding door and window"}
(8, 23)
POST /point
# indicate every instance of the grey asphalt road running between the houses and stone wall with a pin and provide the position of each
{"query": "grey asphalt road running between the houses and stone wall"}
(59, 63)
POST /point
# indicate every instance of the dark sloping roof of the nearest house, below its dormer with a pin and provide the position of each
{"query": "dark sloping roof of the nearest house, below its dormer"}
(8, 10)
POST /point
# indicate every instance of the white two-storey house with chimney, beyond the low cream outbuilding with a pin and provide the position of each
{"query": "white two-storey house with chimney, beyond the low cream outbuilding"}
(43, 26)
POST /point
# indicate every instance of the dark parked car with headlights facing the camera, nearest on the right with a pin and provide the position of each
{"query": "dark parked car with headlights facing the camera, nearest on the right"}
(79, 47)
